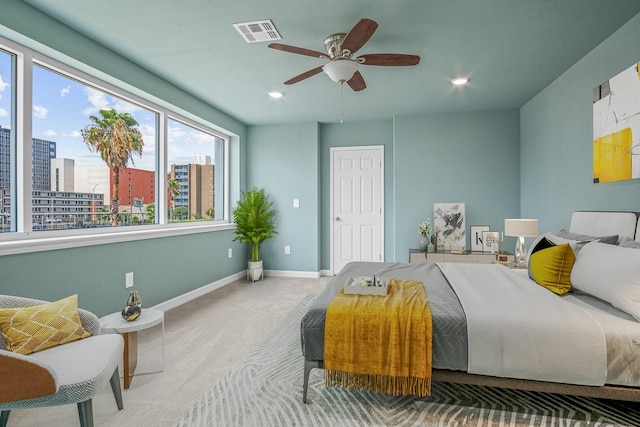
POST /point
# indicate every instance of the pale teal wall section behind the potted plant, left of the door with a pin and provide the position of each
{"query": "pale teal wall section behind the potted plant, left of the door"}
(284, 159)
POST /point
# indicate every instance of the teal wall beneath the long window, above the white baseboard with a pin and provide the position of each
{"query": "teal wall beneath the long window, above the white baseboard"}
(163, 269)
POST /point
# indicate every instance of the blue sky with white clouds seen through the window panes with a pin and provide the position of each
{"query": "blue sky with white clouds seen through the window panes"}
(62, 106)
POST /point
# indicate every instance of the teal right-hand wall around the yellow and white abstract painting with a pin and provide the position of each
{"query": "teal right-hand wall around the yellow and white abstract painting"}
(556, 145)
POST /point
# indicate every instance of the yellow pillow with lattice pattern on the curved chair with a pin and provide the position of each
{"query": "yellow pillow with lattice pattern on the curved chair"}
(30, 329)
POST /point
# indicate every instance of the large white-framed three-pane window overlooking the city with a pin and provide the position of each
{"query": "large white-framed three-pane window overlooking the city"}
(62, 186)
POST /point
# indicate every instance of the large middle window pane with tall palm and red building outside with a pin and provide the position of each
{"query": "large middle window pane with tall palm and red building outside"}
(79, 189)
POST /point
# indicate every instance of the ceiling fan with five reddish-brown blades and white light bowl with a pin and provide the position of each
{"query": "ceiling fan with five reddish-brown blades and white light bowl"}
(340, 49)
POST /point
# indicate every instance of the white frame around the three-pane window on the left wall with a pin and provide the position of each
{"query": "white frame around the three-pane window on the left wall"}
(24, 239)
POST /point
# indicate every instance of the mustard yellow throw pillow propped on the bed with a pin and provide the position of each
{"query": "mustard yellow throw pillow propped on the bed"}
(551, 268)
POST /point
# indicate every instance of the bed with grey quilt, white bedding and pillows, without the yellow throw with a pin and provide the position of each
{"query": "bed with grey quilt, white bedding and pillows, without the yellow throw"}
(585, 342)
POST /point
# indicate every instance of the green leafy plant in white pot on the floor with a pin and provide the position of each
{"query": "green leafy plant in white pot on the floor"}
(253, 216)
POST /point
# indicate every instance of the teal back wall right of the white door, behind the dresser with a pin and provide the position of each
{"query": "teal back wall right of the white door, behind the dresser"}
(455, 157)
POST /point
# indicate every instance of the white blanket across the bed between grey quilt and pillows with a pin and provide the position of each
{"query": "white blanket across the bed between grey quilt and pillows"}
(517, 330)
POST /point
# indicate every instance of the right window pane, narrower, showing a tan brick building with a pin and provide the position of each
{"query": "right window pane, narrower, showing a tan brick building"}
(196, 181)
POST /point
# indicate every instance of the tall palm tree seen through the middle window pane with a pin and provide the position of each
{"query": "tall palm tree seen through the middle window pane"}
(116, 137)
